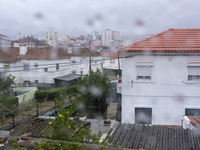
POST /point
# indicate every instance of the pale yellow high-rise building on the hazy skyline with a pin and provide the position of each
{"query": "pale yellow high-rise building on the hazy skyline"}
(51, 37)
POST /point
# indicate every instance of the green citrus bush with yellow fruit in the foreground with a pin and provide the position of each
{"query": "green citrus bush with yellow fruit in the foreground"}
(65, 129)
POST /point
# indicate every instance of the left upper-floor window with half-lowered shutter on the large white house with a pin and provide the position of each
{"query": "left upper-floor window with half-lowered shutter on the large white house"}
(144, 73)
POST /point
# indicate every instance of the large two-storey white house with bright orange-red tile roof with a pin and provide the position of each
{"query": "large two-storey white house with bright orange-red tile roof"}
(161, 78)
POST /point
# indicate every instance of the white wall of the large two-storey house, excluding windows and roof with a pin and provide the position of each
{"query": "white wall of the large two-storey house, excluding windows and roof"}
(168, 93)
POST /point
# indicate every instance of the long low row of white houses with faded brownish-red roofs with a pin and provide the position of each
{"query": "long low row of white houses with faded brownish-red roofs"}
(42, 65)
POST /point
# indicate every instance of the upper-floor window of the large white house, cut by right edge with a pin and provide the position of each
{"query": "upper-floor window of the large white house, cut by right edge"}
(193, 73)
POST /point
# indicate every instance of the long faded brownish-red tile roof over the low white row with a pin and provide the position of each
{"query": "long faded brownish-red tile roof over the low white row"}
(39, 53)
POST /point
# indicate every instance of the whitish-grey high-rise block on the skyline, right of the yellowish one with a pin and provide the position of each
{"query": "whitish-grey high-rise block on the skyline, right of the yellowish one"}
(109, 36)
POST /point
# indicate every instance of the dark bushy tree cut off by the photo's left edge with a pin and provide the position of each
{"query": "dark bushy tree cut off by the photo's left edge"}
(5, 83)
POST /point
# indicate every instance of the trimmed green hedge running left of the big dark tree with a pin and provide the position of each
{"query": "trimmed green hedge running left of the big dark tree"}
(42, 95)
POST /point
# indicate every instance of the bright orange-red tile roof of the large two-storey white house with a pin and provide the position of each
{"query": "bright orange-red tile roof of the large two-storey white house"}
(170, 41)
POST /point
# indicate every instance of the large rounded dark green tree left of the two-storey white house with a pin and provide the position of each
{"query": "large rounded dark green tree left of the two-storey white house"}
(94, 90)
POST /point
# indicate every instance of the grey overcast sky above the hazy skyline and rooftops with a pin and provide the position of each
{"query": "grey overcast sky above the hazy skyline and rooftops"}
(80, 17)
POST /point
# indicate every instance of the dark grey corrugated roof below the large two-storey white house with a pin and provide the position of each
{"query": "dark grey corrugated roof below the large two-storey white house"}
(155, 137)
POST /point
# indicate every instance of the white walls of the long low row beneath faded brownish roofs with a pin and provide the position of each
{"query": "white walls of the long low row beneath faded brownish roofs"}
(38, 73)
